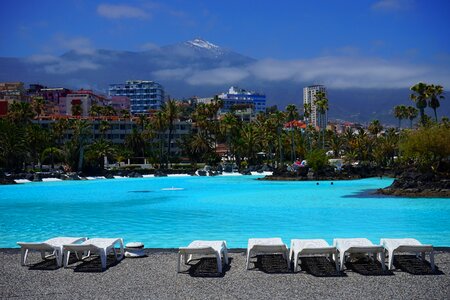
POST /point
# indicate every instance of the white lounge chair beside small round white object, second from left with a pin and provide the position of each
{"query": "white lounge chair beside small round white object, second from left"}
(101, 246)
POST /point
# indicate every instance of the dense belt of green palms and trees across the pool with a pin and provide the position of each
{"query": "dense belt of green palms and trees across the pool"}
(270, 138)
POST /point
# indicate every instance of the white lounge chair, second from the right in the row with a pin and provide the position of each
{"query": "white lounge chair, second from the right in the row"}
(358, 245)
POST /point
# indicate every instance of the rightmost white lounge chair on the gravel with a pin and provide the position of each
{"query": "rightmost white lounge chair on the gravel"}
(406, 245)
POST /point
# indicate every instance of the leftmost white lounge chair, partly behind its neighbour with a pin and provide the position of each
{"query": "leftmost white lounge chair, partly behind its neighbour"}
(54, 245)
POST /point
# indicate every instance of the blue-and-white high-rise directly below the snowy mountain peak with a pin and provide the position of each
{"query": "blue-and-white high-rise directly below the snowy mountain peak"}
(237, 99)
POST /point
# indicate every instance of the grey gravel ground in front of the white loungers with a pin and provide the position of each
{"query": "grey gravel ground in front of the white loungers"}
(155, 277)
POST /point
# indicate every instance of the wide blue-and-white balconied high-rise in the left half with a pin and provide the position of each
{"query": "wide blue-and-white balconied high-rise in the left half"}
(144, 95)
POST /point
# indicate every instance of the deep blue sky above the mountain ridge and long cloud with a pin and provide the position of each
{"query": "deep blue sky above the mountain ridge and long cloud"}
(404, 29)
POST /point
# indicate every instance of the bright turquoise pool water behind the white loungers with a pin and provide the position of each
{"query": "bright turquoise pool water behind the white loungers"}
(233, 208)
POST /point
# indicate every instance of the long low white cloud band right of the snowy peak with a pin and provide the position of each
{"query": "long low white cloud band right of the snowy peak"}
(334, 71)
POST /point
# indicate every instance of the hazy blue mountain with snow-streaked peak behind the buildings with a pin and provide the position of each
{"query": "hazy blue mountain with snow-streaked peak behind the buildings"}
(196, 67)
